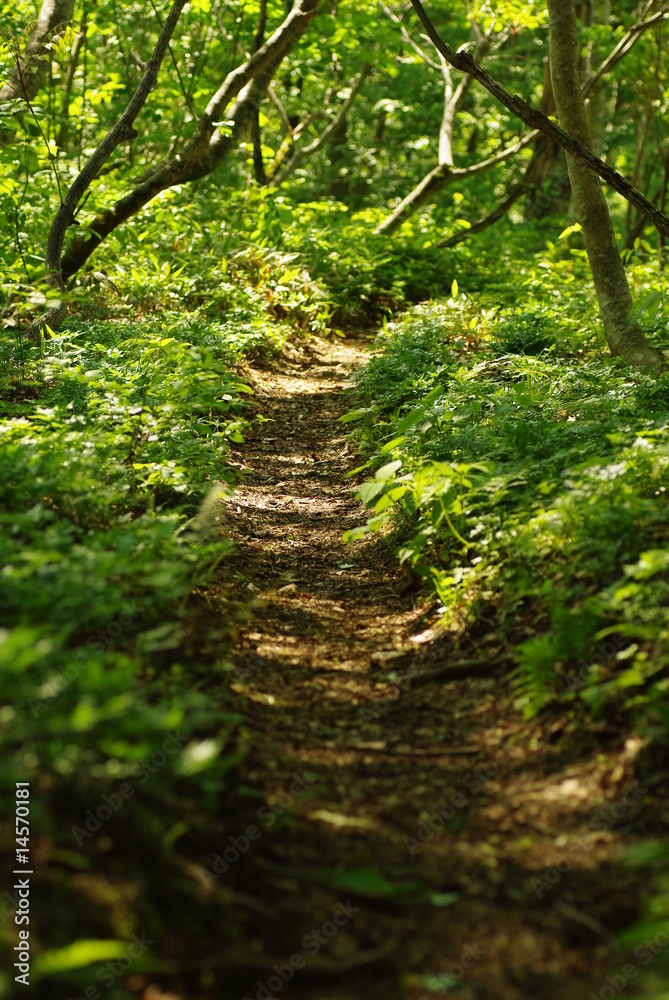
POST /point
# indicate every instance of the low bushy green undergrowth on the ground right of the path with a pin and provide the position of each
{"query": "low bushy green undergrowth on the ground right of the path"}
(528, 488)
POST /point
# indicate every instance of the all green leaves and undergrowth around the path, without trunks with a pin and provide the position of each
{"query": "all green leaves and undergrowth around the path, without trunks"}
(520, 471)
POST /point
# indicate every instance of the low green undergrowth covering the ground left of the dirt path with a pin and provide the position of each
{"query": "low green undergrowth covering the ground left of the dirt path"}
(114, 459)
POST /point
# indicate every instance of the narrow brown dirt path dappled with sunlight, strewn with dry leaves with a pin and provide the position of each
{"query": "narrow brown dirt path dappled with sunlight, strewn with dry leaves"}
(349, 775)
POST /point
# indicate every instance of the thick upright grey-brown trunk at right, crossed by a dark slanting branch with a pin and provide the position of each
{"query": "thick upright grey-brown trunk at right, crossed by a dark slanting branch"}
(615, 301)
